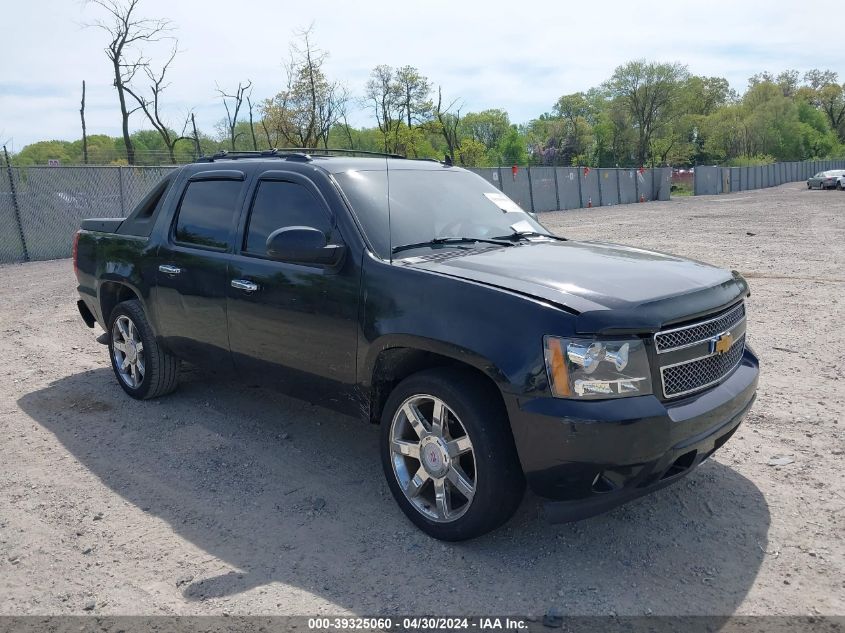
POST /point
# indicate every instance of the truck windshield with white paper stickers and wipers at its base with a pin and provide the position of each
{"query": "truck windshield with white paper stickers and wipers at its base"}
(428, 204)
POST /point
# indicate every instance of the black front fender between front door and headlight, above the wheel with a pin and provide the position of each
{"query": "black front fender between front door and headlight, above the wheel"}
(497, 331)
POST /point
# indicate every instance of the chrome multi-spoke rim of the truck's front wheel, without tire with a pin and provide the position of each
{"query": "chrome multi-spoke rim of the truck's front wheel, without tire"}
(433, 458)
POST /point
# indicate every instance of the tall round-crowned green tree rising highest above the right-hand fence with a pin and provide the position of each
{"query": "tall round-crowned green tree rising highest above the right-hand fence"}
(647, 90)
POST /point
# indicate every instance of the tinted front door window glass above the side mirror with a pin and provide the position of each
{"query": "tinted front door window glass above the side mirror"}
(279, 204)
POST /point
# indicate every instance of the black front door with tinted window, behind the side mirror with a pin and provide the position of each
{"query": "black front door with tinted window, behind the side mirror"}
(293, 325)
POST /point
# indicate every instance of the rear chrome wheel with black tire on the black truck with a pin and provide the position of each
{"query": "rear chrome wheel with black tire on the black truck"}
(142, 367)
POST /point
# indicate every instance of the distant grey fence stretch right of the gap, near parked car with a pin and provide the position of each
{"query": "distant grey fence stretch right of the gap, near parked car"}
(715, 180)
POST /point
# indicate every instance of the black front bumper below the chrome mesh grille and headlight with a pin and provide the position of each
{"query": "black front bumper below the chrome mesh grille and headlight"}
(593, 456)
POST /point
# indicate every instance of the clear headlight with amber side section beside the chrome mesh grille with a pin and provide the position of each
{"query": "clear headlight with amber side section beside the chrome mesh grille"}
(596, 369)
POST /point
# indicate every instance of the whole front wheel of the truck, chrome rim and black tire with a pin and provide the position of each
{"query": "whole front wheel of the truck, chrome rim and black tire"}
(448, 454)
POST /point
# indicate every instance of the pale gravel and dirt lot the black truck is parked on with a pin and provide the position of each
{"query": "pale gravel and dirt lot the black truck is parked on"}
(226, 498)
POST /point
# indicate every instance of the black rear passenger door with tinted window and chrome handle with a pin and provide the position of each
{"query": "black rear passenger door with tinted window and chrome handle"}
(192, 273)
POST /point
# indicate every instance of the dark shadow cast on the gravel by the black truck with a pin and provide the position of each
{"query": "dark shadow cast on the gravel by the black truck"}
(285, 492)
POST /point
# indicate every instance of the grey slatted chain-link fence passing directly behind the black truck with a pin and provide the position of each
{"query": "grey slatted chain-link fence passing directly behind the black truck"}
(42, 207)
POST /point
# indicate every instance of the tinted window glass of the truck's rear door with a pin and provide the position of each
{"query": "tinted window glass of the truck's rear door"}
(206, 213)
